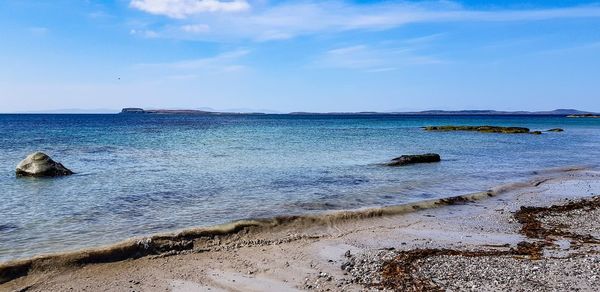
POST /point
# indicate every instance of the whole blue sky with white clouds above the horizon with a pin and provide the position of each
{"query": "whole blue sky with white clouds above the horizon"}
(284, 56)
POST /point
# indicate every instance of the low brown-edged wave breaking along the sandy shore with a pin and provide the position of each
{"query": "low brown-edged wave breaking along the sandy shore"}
(190, 240)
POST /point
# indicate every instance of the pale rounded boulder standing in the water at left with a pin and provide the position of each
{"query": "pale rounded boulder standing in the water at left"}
(39, 164)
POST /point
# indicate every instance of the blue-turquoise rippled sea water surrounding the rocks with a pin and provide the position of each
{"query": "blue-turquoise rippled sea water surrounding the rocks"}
(142, 174)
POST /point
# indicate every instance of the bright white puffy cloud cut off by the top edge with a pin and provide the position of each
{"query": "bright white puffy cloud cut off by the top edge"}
(185, 8)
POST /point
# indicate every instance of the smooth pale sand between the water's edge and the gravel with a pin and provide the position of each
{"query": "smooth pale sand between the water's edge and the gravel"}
(308, 255)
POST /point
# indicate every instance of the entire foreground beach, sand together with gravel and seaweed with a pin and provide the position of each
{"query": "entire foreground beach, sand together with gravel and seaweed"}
(460, 244)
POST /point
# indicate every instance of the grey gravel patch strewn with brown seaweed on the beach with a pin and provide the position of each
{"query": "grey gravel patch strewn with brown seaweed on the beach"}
(574, 266)
